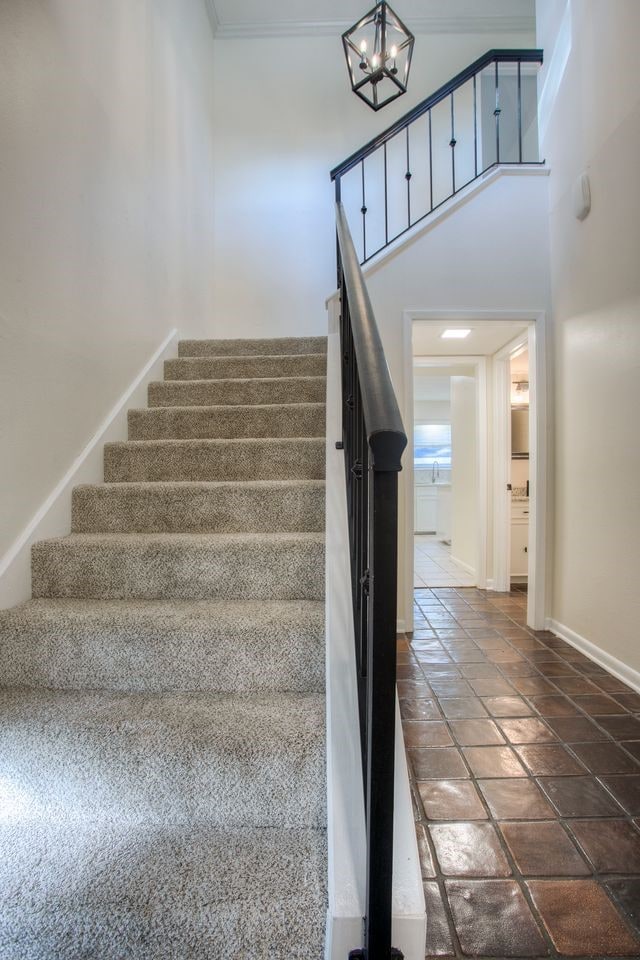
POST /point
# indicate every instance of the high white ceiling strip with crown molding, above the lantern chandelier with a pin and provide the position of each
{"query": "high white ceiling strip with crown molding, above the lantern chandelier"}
(257, 18)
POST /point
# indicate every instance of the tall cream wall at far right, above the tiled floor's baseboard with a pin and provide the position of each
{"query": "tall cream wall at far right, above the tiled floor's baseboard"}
(592, 124)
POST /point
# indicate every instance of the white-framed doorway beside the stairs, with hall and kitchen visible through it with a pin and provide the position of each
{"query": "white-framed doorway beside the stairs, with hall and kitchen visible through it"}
(482, 359)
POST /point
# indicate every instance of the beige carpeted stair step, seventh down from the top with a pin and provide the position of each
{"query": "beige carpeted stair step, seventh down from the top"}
(151, 566)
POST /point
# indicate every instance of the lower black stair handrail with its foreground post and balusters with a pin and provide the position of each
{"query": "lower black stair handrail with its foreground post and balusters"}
(373, 440)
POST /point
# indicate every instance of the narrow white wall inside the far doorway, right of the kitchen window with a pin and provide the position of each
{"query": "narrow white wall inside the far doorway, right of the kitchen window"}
(464, 471)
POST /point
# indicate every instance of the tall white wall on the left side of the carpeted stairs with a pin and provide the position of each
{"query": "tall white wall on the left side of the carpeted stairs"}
(106, 233)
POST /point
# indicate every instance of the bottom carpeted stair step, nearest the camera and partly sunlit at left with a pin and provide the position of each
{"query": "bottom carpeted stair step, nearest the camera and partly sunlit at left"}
(116, 892)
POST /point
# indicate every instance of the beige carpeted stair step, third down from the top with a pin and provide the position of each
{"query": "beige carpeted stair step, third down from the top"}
(203, 393)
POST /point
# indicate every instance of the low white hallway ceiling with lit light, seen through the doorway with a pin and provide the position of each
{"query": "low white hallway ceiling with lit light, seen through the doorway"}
(486, 337)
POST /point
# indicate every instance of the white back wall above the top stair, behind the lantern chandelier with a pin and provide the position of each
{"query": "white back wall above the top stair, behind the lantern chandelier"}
(277, 137)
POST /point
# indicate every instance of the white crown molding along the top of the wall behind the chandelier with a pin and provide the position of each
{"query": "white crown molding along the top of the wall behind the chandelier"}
(330, 28)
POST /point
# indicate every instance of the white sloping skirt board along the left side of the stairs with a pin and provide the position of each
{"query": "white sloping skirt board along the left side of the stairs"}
(53, 518)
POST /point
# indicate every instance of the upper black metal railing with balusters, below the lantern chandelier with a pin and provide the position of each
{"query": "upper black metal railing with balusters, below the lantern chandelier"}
(485, 116)
